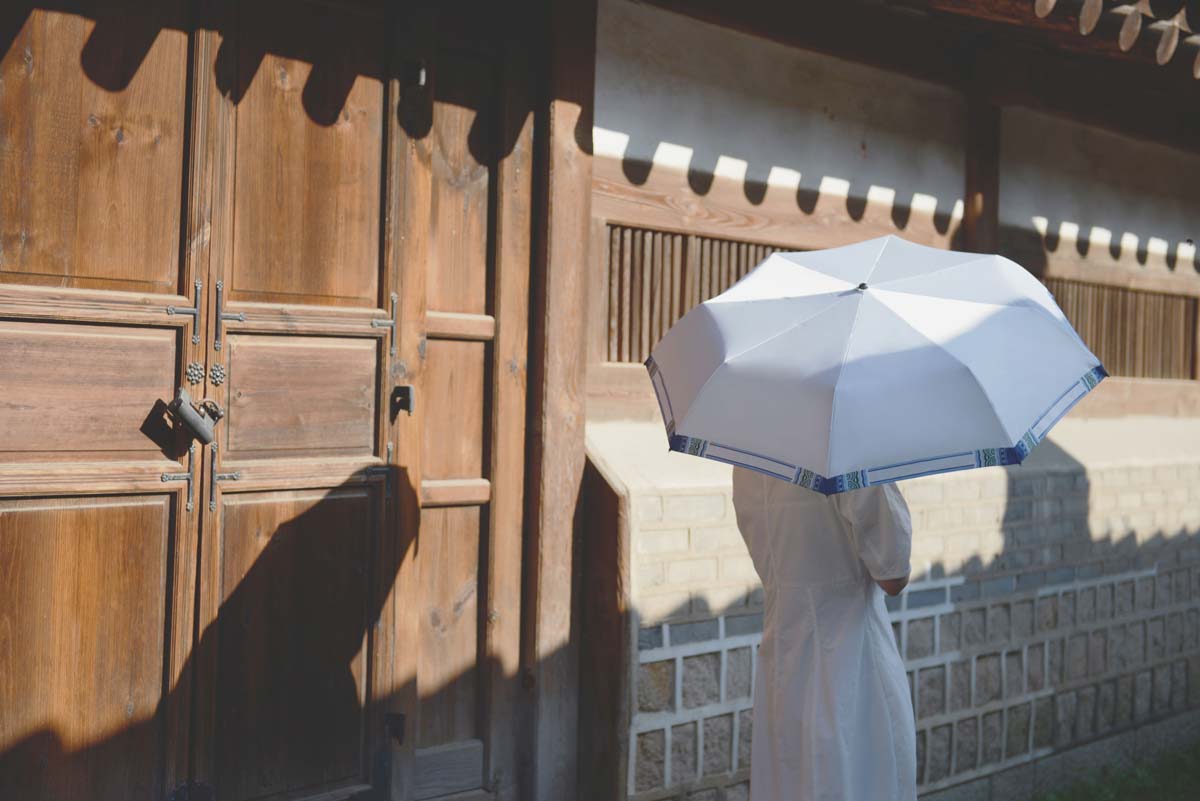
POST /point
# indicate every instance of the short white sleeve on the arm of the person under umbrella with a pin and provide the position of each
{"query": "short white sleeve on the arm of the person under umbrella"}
(881, 529)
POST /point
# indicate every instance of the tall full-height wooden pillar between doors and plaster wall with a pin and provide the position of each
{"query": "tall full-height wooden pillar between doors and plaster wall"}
(557, 371)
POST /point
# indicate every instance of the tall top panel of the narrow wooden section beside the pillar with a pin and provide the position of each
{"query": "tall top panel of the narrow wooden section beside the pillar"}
(461, 154)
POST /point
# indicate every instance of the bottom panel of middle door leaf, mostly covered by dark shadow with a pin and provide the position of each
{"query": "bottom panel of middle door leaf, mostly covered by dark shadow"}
(293, 631)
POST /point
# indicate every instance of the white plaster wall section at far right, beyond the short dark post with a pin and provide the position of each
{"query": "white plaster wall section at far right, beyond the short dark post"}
(1077, 182)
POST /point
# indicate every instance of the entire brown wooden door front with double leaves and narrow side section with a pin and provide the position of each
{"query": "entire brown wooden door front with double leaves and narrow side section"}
(309, 214)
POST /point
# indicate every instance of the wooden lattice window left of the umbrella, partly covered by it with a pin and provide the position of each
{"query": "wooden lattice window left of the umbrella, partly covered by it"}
(655, 278)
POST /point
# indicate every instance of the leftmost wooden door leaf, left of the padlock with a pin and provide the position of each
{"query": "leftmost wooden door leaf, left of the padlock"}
(98, 535)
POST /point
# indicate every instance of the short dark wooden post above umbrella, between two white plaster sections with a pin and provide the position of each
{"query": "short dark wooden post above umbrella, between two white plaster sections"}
(981, 214)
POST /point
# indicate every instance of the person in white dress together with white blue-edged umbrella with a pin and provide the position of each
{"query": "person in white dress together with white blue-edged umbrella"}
(825, 377)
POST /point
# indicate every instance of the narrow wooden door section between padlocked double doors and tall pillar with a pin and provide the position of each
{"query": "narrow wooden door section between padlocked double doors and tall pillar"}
(464, 149)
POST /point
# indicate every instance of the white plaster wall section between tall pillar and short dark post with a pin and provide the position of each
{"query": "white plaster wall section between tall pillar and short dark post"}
(681, 93)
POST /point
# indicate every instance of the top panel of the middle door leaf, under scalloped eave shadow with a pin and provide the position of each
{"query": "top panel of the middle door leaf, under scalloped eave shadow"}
(309, 154)
